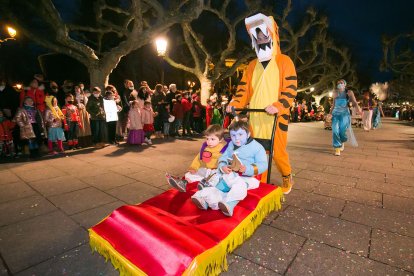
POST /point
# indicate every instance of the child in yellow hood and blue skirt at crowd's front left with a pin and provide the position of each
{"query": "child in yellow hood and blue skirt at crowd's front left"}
(54, 120)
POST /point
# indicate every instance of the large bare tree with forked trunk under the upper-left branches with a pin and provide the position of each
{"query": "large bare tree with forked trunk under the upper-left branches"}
(113, 30)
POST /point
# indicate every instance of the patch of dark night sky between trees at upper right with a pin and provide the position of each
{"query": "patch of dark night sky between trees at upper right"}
(359, 24)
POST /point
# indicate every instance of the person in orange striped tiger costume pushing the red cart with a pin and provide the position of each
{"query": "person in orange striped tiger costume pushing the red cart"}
(269, 83)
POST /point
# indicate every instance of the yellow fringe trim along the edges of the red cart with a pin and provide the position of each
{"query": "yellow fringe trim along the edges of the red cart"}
(212, 261)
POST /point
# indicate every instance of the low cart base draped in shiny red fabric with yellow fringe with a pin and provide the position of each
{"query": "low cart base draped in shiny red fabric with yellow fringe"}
(169, 235)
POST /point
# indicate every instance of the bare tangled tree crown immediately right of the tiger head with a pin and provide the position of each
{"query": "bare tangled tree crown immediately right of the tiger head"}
(318, 59)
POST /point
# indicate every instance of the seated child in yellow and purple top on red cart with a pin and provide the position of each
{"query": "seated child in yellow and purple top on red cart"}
(204, 165)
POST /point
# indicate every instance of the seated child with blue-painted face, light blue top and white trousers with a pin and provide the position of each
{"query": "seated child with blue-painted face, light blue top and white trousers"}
(233, 185)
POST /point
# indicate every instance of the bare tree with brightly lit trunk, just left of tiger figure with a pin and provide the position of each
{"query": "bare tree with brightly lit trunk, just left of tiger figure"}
(208, 64)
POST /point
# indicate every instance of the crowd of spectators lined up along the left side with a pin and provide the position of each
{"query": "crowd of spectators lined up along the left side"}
(44, 115)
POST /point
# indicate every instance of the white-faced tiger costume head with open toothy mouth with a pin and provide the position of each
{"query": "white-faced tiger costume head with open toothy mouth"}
(264, 34)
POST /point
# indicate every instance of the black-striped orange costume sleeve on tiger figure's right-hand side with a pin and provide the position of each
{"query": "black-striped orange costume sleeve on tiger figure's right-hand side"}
(288, 85)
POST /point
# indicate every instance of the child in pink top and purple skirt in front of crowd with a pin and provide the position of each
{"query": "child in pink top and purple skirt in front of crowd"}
(136, 133)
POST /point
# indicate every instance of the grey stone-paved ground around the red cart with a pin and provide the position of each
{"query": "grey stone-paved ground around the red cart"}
(347, 215)
